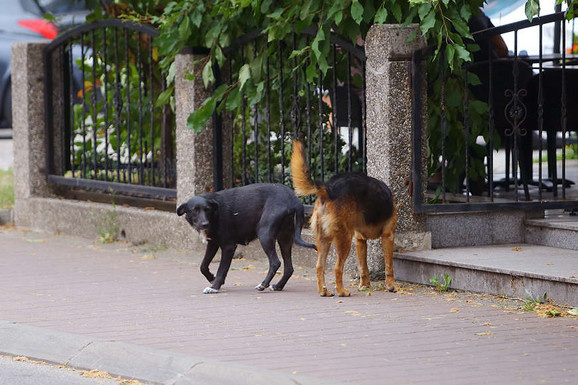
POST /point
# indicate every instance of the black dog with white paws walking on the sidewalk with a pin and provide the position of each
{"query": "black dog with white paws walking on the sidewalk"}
(270, 212)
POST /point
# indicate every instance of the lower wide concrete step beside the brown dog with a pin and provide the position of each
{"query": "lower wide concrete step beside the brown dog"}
(514, 270)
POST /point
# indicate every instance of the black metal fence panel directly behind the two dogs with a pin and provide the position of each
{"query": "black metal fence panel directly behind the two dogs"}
(329, 115)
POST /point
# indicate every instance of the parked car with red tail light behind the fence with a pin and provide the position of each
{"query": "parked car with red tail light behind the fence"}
(23, 20)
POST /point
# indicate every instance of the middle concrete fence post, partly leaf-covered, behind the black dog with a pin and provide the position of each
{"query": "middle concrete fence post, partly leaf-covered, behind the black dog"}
(194, 150)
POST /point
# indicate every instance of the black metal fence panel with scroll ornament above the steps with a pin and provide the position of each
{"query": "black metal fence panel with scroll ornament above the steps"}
(502, 135)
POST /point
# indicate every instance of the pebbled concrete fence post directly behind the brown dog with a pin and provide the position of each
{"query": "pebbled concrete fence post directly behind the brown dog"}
(389, 124)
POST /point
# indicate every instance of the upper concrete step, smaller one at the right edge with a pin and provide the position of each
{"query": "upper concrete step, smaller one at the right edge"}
(556, 231)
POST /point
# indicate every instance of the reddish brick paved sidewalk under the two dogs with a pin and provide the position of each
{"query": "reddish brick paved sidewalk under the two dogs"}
(153, 298)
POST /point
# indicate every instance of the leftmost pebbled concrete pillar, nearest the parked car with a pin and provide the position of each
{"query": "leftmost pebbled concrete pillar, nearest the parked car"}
(28, 126)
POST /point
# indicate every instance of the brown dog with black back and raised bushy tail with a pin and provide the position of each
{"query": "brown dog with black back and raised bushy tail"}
(348, 204)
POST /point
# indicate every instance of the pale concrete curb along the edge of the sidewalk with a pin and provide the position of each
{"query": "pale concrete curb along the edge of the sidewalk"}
(124, 360)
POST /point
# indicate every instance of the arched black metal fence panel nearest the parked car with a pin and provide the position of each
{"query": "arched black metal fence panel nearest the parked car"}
(104, 131)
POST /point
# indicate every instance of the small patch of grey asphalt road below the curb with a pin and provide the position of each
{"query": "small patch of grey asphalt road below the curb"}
(15, 372)
